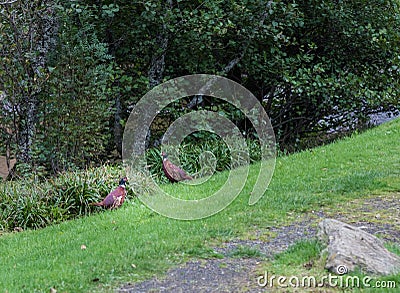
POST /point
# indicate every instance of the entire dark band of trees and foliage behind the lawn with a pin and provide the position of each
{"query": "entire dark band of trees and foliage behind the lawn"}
(71, 71)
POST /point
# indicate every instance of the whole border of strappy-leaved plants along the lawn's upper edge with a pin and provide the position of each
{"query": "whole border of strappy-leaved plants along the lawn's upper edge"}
(31, 204)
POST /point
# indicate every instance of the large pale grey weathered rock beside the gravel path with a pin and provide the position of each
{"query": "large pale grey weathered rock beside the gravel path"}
(350, 247)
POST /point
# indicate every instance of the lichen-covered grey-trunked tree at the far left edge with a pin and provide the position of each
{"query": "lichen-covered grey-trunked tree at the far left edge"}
(26, 36)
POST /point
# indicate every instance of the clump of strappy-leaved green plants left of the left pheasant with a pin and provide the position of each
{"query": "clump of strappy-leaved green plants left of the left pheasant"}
(33, 204)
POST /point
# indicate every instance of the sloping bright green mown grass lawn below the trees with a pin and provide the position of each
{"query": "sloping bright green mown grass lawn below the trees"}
(104, 250)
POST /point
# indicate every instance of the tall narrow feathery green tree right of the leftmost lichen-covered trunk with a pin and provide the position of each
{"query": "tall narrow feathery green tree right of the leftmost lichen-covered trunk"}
(77, 102)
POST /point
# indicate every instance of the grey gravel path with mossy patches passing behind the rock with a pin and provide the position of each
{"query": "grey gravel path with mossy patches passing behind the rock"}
(379, 215)
